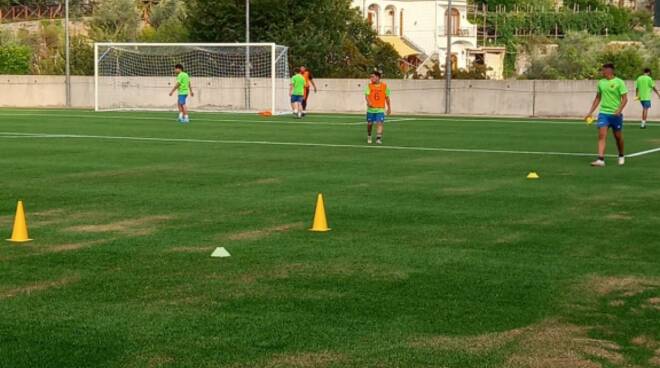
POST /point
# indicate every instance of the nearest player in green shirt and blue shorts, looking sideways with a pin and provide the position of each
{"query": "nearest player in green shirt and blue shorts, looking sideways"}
(612, 97)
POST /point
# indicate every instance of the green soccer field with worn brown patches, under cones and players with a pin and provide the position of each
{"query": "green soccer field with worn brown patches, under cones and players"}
(441, 254)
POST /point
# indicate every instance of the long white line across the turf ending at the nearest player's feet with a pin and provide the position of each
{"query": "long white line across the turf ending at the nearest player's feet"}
(299, 144)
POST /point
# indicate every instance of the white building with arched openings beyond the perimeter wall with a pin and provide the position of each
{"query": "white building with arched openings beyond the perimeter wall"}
(422, 25)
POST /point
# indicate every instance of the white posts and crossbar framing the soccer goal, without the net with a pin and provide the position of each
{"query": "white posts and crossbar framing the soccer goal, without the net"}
(273, 108)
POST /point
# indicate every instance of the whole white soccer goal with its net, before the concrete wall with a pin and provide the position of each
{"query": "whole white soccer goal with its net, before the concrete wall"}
(225, 77)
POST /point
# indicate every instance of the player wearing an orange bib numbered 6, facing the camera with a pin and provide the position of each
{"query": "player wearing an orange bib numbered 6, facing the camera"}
(377, 95)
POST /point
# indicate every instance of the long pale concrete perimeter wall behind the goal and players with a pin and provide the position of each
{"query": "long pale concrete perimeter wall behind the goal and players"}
(478, 97)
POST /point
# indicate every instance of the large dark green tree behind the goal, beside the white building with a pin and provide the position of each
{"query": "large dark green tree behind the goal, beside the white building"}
(337, 42)
